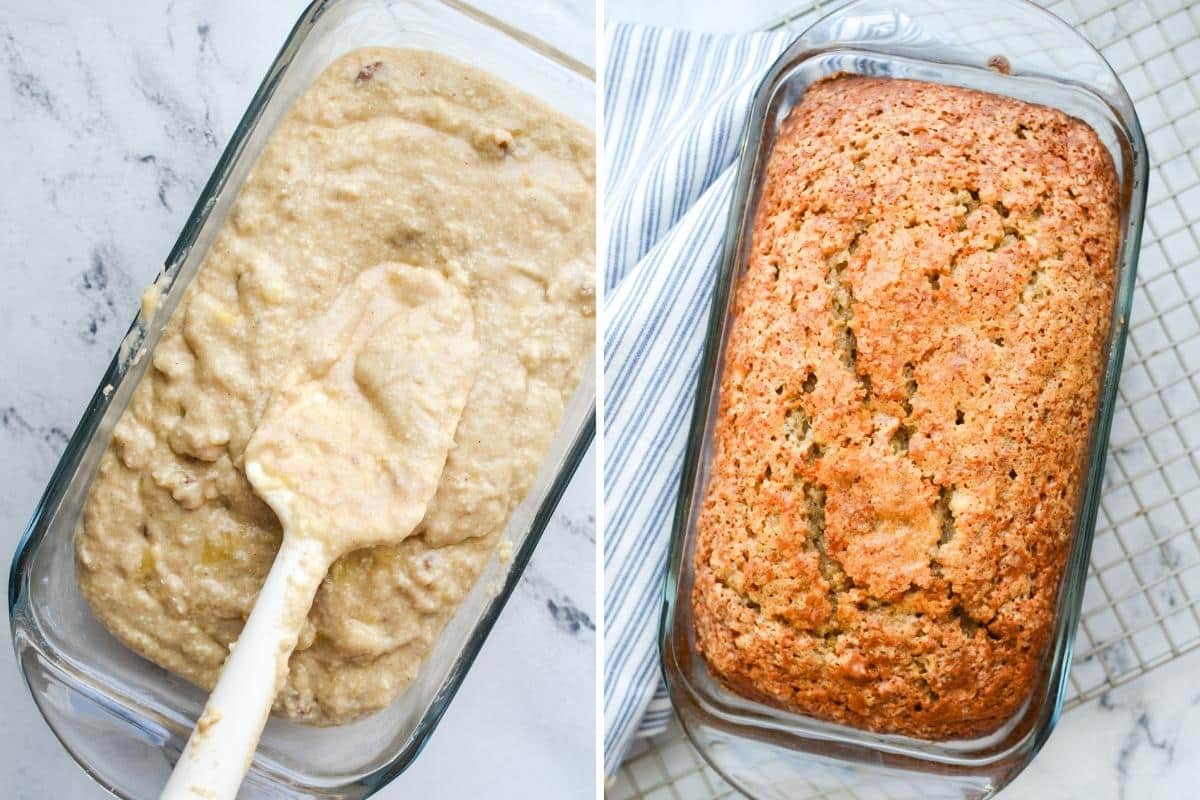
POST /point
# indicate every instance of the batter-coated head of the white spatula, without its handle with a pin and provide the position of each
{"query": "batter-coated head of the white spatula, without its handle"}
(352, 443)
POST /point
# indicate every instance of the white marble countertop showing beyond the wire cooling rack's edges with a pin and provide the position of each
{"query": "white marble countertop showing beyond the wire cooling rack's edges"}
(1138, 742)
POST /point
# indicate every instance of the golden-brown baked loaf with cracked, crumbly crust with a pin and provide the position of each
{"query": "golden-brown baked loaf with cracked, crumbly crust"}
(909, 386)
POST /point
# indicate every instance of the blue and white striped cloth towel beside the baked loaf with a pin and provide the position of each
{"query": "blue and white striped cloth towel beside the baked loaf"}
(675, 109)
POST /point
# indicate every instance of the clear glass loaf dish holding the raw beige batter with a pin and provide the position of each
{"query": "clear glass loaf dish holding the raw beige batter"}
(122, 718)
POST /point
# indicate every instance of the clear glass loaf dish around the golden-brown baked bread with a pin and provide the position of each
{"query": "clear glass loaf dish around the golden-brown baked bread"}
(767, 753)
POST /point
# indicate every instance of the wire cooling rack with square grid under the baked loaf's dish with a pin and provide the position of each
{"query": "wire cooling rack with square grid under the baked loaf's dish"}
(1141, 606)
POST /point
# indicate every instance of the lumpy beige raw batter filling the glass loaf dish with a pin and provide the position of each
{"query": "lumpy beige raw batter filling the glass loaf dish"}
(393, 157)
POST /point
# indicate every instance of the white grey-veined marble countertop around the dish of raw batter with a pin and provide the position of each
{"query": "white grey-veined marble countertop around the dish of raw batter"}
(112, 117)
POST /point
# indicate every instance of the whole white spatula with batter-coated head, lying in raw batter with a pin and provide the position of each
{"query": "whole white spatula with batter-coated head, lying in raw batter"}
(349, 454)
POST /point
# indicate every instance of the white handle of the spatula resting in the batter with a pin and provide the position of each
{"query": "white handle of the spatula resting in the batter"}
(221, 748)
